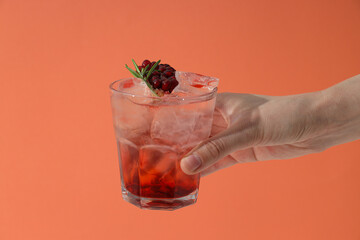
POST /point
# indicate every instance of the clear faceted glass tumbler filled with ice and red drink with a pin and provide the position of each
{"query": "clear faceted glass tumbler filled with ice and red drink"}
(154, 133)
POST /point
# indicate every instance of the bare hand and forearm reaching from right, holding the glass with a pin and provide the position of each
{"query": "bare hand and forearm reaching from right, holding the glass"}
(249, 128)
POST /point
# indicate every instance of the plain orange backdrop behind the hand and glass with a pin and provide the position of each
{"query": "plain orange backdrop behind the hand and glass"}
(59, 176)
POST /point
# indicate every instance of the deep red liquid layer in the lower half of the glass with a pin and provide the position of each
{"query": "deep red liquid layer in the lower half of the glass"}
(155, 173)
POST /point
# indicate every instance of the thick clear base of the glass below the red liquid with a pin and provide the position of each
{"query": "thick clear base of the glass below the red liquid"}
(168, 204)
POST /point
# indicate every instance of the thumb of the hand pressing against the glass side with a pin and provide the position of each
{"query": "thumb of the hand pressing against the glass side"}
(219, 146)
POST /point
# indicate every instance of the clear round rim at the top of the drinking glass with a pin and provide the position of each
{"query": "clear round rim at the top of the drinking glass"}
(206, 96)
